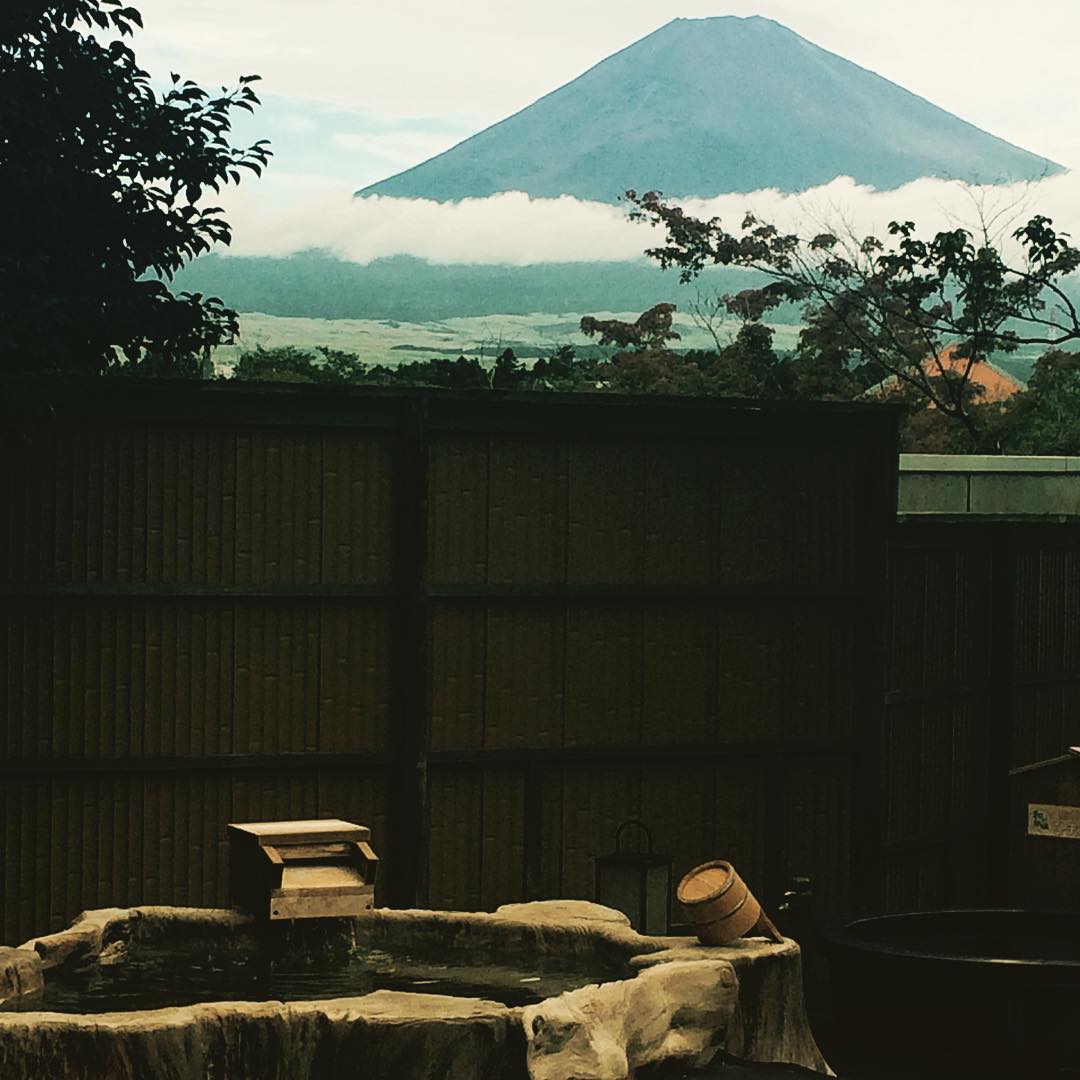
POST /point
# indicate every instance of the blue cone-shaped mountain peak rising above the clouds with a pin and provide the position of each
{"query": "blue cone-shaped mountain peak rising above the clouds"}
(708, 106)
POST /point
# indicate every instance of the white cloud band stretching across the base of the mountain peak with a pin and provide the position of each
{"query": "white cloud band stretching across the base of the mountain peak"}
(285, 214)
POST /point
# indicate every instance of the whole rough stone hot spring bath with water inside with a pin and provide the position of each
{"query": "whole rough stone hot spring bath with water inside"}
(541, 991)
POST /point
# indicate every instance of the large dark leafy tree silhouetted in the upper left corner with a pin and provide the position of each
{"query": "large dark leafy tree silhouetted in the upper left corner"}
(103, 179)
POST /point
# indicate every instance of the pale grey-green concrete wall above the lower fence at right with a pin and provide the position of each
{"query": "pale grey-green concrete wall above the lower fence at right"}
(977, 484)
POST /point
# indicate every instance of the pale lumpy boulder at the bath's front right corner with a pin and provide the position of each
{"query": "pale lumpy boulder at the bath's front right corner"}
(679, 1011)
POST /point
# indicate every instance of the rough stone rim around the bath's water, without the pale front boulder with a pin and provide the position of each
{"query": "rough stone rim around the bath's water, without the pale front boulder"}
(768, 1021)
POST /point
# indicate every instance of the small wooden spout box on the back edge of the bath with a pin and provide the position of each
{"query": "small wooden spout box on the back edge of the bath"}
(302, 870)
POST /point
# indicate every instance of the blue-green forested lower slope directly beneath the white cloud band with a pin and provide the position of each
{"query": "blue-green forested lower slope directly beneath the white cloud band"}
(319, 286)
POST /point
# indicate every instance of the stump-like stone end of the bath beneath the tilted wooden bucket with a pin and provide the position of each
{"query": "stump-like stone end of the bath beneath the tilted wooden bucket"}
(771, 1023)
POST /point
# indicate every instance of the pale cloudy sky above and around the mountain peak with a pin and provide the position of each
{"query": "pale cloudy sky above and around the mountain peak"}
(355, 92)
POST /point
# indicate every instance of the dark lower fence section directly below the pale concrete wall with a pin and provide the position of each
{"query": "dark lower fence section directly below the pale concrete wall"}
(984, 676)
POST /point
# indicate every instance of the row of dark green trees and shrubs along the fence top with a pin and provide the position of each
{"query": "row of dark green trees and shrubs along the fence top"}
(1045, 420)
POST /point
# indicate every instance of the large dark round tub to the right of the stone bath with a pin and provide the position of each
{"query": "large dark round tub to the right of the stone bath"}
(956, 994)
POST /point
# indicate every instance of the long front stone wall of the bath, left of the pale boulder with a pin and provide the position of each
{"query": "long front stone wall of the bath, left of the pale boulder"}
(383, 1036)
